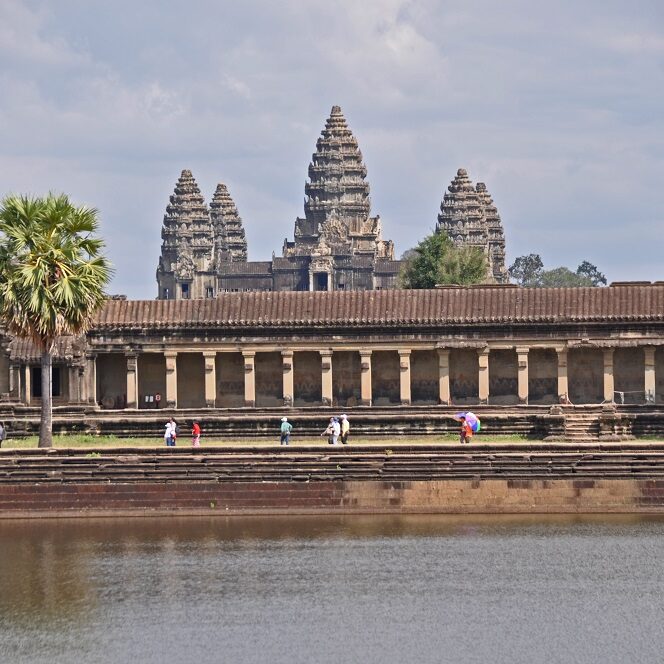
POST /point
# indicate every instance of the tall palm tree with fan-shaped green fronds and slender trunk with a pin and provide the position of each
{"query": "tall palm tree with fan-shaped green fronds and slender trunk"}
(52, 277)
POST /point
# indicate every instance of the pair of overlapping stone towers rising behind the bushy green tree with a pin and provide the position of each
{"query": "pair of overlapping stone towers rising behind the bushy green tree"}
(470, 218)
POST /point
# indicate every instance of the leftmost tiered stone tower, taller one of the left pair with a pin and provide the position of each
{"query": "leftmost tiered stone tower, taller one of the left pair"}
(187, 243)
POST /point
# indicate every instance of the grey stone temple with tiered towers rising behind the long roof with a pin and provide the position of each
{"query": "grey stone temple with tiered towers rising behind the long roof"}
(337, 245)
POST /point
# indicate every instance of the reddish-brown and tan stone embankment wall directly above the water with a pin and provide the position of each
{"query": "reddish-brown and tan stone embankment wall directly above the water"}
(458, 496)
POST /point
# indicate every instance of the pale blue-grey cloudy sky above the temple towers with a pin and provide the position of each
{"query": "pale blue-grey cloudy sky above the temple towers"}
(557, 107)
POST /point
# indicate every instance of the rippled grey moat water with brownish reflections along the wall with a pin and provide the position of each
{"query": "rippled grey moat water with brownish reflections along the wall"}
(327, 589)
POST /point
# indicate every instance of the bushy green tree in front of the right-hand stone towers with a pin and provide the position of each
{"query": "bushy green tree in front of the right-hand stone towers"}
(438, 261)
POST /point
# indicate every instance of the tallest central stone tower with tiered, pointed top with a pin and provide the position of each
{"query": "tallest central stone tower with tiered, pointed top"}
(337, 231)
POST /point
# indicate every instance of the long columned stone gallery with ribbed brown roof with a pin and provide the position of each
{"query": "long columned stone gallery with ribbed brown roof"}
(501, 346)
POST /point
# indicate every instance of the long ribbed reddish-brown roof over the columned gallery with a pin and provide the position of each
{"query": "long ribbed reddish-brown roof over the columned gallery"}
(393, 308)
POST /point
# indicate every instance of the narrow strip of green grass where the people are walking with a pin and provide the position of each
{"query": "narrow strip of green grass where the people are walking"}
(184, 441)
